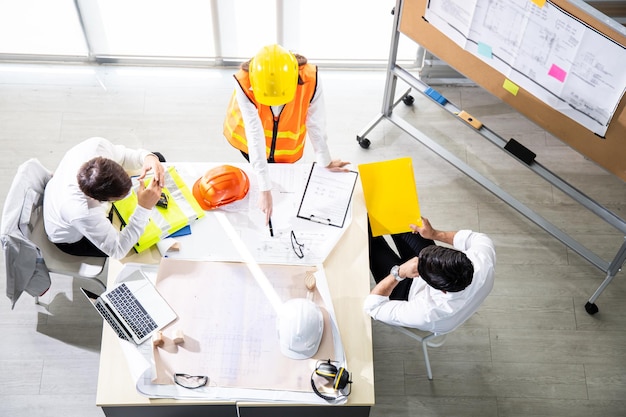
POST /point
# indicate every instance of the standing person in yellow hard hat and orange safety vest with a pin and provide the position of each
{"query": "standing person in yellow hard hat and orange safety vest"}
(277, 101)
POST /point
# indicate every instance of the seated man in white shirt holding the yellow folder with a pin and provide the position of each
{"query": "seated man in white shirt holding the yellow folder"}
(429, 287)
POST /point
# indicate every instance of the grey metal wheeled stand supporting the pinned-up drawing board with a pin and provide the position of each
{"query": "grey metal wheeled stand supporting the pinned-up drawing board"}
(395, 72)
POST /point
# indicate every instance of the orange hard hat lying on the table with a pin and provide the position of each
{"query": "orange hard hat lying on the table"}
(221, 185)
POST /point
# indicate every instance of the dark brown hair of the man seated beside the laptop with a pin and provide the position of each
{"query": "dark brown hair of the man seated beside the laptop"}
(103, 179)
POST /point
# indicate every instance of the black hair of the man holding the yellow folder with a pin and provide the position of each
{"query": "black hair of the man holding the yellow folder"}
(445, 269)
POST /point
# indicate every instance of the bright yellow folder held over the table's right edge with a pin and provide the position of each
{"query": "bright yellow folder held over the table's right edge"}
(390, 196)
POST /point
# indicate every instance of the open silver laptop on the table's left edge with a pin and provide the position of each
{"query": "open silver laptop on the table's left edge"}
(133, 308)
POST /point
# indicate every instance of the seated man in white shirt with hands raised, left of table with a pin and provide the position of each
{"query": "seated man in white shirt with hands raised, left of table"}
(91, 175)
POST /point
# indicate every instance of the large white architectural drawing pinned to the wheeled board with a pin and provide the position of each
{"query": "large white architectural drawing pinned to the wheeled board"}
(554, 56)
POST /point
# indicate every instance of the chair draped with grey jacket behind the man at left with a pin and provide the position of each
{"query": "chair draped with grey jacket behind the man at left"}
(29, 255)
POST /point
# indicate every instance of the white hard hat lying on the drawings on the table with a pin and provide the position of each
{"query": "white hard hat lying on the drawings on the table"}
(300, 327)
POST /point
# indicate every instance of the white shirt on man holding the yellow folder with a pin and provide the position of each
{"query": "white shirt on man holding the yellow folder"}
(433, 310)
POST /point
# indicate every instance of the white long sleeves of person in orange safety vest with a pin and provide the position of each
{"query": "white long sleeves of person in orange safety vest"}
(316, 132)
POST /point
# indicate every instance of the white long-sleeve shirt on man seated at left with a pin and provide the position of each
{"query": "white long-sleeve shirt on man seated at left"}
(69, 214)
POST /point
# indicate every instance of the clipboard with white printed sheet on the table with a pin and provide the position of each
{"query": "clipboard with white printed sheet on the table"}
(327, 196)
